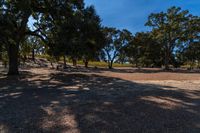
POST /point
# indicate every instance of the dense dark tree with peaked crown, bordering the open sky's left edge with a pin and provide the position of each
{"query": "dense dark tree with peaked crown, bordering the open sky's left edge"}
(80, 31)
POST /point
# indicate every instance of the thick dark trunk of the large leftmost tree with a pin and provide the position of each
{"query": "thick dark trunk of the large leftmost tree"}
(13, 53)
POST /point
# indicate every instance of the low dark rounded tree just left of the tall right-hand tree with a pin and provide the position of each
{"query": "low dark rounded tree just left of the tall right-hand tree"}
(144, 50)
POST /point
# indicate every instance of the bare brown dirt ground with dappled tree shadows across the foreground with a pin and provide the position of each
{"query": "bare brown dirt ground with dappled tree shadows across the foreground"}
(100, 101)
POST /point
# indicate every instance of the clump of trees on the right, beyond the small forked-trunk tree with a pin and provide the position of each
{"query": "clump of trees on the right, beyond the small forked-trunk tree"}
(174, 40)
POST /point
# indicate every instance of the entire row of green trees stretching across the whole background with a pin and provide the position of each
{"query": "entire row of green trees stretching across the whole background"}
(68, 29)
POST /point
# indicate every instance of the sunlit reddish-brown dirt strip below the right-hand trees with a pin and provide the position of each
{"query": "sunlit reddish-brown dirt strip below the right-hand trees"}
(151, 74)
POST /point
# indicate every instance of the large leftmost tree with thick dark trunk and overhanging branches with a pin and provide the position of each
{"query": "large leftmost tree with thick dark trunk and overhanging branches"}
(14, 18)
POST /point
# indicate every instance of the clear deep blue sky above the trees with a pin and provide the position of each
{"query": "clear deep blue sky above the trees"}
(132, 14)
